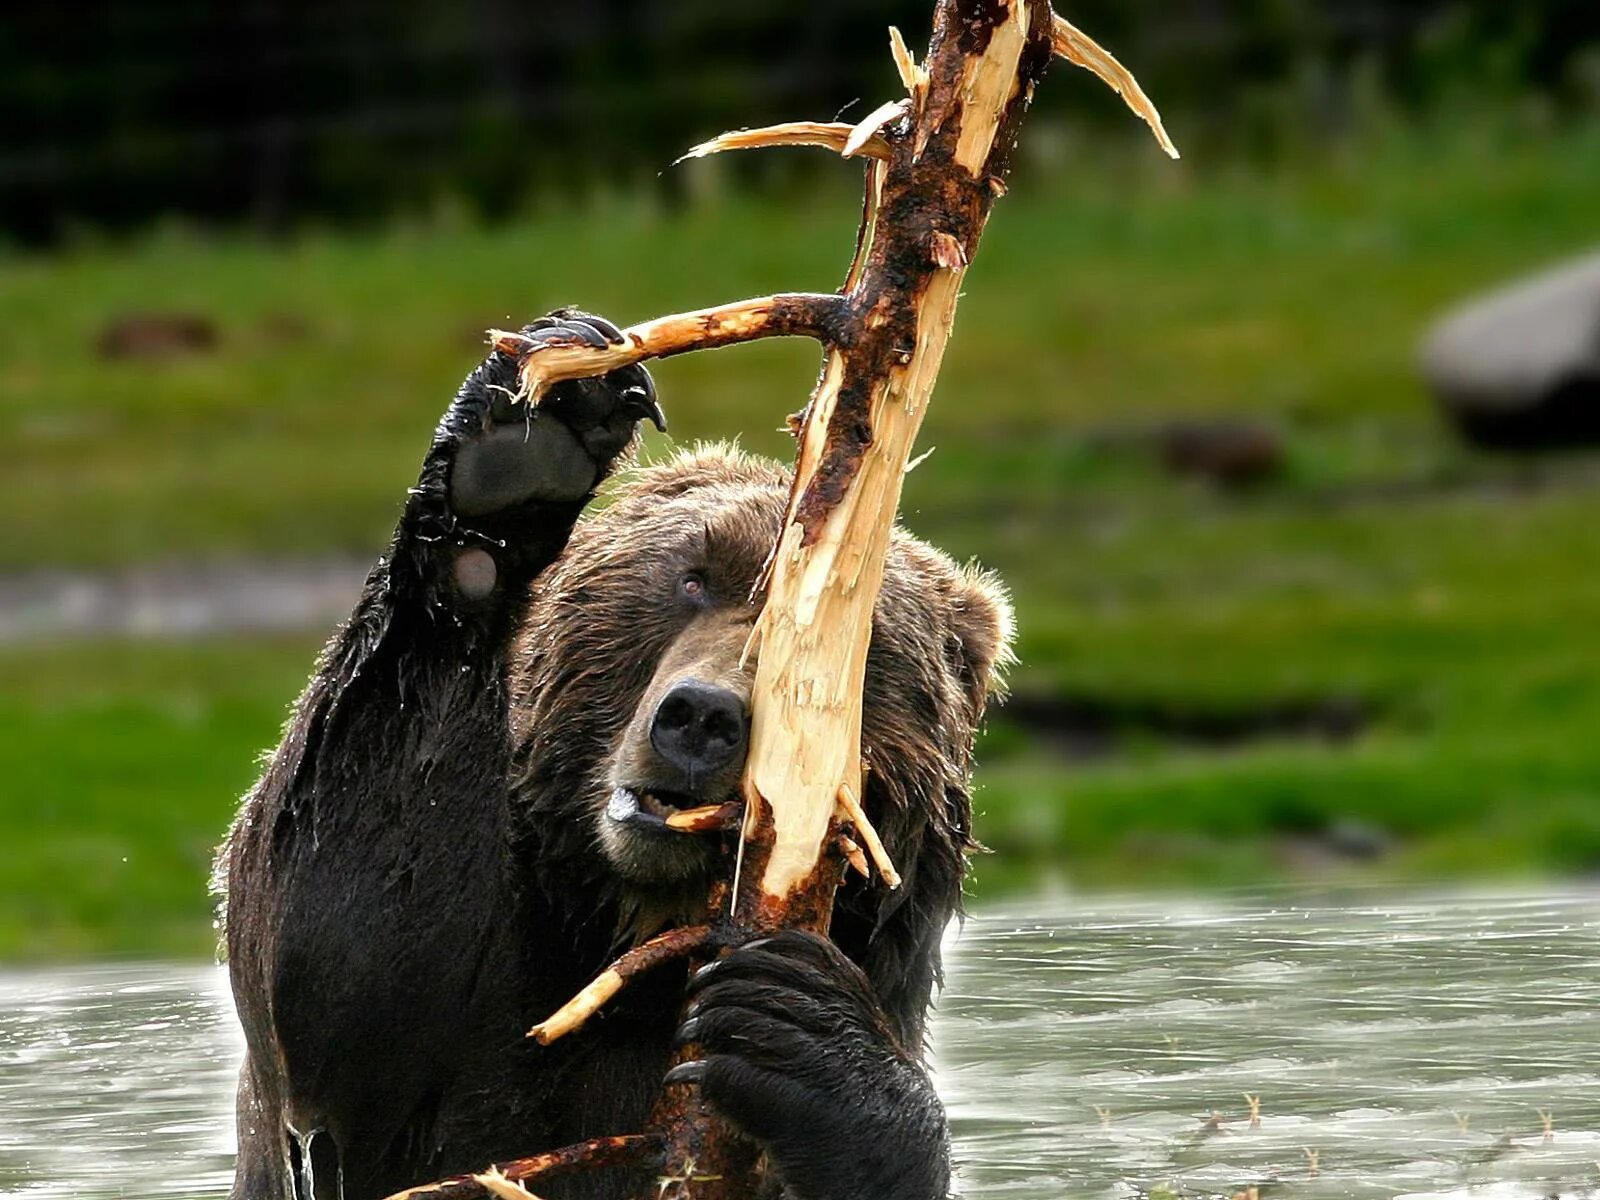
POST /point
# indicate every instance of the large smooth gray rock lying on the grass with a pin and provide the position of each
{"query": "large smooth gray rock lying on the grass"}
(1521, 369)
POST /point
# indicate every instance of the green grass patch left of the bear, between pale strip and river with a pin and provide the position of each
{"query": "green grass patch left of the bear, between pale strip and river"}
(122, 767)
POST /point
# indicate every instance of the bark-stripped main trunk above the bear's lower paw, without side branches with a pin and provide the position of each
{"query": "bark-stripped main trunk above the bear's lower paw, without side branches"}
(806, 732)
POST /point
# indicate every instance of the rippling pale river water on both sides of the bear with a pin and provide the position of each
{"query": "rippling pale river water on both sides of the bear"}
(1431, 1047)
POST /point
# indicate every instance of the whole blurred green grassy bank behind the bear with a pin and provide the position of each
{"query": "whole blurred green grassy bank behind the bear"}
(1431, 615)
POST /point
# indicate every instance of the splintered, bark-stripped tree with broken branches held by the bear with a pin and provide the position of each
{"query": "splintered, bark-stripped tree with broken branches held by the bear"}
(937, 161)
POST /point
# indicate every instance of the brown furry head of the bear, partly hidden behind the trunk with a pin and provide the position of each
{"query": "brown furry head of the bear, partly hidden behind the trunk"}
(631, 681)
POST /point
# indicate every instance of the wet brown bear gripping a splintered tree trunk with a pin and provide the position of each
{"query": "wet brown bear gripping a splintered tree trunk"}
(465, 823)
